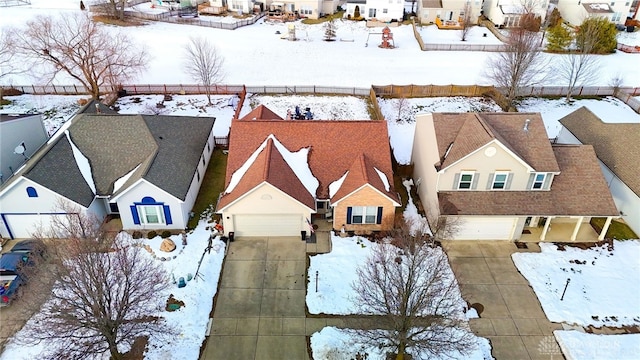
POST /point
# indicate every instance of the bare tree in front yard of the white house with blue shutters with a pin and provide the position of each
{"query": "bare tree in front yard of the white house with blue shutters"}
(104, 296)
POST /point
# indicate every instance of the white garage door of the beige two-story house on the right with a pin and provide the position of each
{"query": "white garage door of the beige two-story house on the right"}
(485, 228)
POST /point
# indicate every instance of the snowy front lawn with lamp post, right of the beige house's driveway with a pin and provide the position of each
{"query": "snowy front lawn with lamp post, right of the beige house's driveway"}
(604, 285)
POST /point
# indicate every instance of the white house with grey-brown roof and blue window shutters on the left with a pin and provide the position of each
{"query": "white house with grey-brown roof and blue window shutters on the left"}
(146, 169)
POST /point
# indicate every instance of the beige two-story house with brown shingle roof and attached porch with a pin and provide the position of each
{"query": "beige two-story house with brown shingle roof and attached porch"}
(496, 176)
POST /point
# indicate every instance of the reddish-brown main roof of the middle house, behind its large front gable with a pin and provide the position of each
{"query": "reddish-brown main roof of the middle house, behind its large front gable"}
(334, 147)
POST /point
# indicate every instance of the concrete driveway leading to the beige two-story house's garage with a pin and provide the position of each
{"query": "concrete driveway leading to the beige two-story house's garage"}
(512, 318)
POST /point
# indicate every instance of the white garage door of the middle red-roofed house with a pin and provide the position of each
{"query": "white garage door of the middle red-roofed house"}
(268, 225)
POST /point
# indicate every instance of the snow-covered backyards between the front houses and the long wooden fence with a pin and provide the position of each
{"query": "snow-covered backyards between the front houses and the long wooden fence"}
(57, 109)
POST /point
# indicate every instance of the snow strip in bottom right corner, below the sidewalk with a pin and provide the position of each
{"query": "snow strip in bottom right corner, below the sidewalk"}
(577, 345)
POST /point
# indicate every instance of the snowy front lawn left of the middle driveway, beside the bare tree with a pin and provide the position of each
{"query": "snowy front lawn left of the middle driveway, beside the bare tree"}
(192, 319)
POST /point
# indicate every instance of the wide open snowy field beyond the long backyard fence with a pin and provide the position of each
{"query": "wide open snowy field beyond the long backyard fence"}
(256, 54)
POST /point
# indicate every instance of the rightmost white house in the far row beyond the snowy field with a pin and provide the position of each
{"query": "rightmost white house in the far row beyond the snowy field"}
(574, 12)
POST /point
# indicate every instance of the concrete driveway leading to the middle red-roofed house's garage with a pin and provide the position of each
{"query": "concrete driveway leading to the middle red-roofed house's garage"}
(260, 308)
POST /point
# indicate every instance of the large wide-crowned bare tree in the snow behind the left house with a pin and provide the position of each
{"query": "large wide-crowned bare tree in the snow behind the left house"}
(76, 46)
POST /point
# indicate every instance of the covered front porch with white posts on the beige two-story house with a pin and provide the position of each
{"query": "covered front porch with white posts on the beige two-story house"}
(563, 229)
